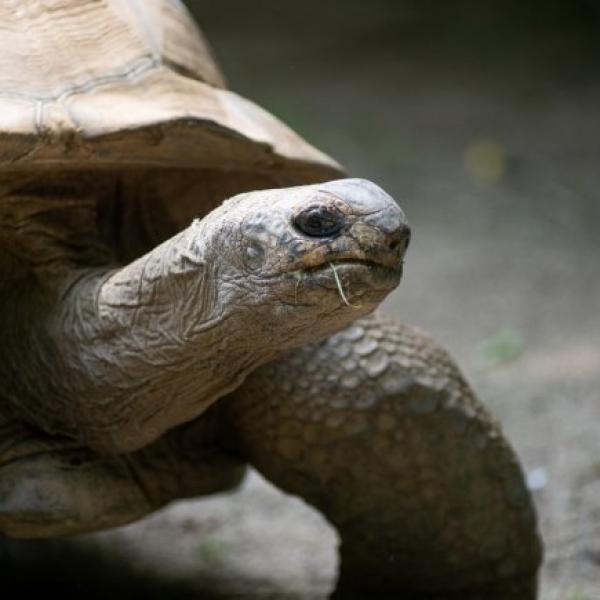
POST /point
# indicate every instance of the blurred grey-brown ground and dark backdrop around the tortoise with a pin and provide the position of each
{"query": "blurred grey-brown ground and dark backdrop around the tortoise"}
(483, 120)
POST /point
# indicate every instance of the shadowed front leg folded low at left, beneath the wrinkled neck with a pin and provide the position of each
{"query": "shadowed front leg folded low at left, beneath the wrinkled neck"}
(50, 487)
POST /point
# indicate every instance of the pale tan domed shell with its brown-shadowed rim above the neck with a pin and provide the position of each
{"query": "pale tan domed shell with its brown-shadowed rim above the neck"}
(115, 82)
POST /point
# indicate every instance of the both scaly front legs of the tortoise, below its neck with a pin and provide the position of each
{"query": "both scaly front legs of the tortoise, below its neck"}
(375, 427)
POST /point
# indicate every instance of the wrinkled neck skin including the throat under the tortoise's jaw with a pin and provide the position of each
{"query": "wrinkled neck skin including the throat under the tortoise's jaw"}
(115, 357)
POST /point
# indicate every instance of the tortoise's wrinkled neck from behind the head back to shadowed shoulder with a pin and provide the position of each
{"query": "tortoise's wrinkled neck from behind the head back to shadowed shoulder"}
(113, 356)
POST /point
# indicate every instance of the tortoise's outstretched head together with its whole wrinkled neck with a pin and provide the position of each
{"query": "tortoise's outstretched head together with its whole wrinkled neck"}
(114, 356)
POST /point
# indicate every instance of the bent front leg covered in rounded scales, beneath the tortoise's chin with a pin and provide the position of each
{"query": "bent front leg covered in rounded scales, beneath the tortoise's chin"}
(377, 428)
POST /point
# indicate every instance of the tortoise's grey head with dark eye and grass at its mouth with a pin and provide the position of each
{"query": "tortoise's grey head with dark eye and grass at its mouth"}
(333, 246)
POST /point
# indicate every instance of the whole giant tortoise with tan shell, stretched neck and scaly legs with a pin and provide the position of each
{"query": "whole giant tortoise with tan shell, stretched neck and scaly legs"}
(188, 288)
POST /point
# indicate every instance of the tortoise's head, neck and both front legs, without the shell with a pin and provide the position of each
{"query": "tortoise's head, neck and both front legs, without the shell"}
(111, 377)
